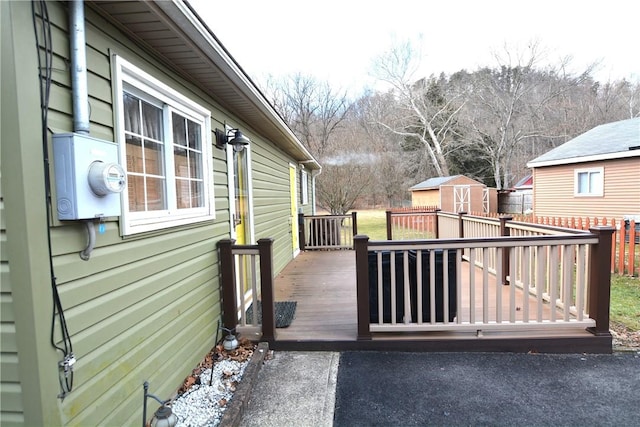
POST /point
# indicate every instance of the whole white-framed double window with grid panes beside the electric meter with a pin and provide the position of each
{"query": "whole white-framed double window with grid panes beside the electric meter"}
(165, 146)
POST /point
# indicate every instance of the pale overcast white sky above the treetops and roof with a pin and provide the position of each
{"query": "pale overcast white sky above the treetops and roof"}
(336, 40)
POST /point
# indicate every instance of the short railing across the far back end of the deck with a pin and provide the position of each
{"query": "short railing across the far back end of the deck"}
(327, 231)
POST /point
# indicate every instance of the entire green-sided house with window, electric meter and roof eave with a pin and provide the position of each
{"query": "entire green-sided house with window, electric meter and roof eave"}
(118, 178)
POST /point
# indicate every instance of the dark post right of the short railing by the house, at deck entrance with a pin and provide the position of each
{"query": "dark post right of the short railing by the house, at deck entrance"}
(265, 248)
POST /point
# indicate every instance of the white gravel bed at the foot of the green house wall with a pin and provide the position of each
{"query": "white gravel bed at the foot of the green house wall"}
(203, 405)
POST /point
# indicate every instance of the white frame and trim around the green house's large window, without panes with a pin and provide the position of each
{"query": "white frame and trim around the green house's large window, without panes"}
(128, 74)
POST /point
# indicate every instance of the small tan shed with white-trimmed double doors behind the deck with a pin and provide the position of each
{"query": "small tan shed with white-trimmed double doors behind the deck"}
(456, 193)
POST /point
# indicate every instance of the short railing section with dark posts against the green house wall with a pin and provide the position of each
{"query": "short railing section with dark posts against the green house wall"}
(247, 288)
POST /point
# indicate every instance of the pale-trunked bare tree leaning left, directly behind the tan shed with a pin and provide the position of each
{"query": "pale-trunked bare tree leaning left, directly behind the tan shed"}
(418, 115)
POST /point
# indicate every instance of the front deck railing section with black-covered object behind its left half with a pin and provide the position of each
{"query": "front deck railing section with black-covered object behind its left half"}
(555, 281)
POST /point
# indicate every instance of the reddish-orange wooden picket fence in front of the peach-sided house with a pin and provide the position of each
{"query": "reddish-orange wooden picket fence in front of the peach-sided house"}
(625, 245)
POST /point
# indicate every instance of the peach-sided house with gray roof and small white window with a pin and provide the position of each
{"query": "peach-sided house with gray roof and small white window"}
(595, 174)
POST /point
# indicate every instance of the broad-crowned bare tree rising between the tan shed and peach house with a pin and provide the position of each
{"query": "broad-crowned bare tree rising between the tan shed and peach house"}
(511, 104)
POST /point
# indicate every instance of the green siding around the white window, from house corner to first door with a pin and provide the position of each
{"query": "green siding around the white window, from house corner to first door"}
(143, 307)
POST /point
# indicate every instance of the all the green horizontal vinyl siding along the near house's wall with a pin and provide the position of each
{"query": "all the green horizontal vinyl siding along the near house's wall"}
(143, 307)
